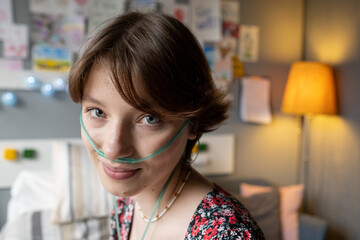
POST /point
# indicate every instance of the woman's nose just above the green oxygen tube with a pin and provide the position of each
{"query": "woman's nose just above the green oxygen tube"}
(117, 142)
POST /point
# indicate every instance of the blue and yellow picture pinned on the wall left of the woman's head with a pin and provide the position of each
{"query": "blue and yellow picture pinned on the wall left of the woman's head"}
(47, 58)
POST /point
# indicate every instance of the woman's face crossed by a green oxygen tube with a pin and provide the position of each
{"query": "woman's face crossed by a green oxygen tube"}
(120, 130)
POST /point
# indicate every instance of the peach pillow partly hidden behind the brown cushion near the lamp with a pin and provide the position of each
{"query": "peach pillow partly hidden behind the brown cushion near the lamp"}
(290, 202)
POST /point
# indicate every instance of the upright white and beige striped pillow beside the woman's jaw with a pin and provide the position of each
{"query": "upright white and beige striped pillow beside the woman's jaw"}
(79, 193)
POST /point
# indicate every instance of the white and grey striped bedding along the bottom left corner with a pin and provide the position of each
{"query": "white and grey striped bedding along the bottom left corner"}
(37, 226)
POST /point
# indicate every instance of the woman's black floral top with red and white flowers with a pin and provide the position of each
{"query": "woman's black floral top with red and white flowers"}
(218, 216)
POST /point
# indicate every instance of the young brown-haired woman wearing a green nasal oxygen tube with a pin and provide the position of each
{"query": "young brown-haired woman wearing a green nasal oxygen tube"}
(147, 96)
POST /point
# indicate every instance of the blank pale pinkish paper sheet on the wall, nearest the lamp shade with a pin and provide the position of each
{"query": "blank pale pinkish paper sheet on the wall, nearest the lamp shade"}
(255, 100)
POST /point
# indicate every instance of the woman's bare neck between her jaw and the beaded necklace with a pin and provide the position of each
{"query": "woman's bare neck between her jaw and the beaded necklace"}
(148, 198)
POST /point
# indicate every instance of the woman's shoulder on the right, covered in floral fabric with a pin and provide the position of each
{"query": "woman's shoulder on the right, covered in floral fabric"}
(222, 216)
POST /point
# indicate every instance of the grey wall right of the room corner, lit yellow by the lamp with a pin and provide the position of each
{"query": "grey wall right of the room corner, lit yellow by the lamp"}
(333, 36)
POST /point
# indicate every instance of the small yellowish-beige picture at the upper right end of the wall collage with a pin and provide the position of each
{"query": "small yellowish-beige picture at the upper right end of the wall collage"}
(249, 43)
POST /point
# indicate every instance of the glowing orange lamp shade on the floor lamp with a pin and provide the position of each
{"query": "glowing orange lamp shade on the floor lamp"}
(310, 89)
